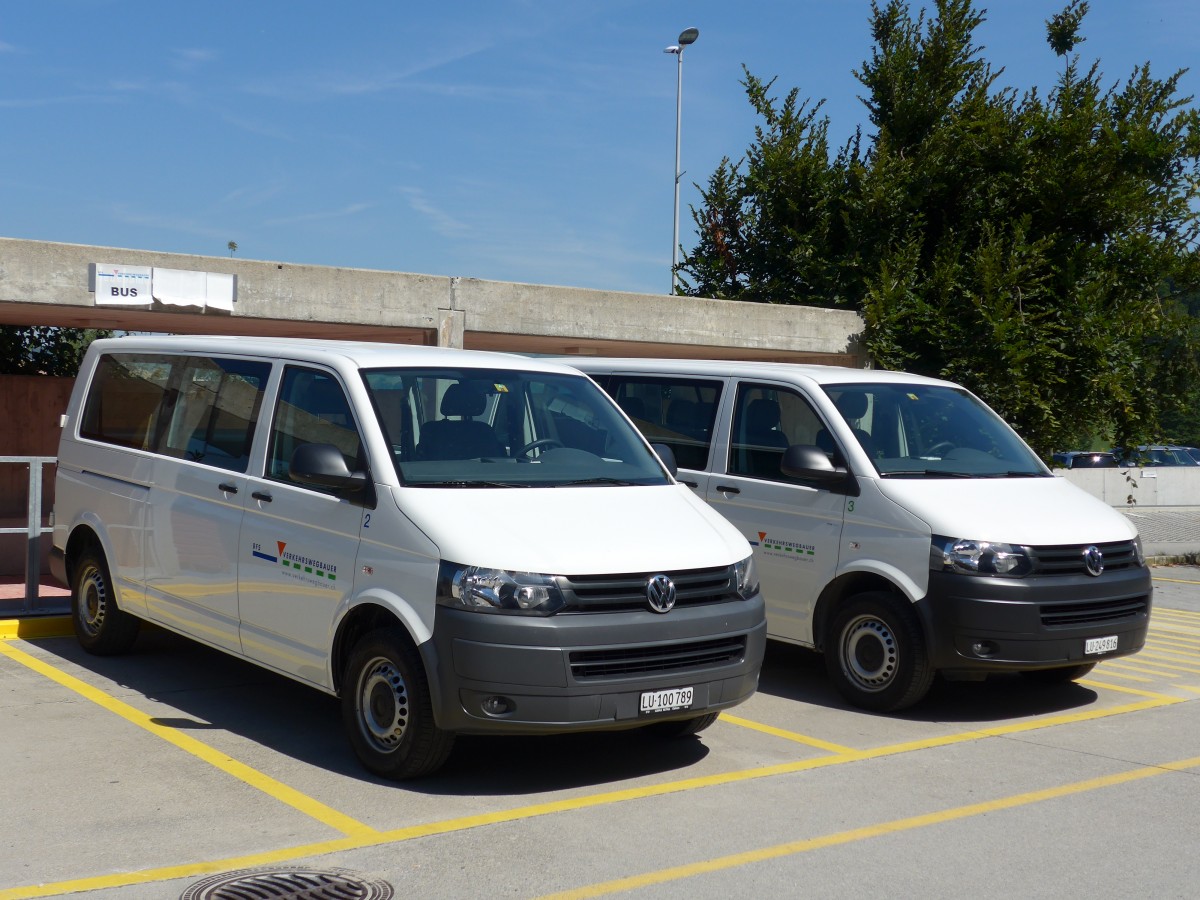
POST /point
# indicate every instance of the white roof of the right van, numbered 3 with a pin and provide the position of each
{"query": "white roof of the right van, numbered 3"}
(717, 368)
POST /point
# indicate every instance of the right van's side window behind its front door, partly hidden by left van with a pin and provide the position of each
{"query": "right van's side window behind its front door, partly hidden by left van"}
(677, 412)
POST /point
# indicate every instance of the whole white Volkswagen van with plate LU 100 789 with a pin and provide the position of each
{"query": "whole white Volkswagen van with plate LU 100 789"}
(452, 542)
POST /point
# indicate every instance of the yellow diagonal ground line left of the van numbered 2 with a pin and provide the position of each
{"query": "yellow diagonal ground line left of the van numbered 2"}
(217, 759)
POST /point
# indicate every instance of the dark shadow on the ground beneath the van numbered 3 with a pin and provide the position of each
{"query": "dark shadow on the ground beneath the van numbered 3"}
(797, 674)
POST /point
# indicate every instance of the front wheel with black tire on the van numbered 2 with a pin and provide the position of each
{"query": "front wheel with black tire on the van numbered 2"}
(387, 709)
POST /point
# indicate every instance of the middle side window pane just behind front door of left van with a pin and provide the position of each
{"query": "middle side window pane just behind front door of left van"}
(212, 411)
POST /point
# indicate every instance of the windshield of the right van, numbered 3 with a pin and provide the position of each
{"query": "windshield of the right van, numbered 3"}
(932, 431)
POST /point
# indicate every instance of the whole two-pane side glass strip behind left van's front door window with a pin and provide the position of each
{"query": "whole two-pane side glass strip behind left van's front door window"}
(195, 409)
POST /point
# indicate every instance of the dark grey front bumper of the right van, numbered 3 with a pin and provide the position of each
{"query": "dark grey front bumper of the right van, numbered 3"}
(995, 625)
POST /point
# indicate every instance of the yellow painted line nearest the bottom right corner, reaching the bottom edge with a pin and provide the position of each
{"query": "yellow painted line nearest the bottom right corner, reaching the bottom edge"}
(875, 831)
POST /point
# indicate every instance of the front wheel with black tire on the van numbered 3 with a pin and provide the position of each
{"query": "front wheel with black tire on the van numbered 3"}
(875, 653)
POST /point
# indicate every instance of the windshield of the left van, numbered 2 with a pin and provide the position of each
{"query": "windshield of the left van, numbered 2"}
(472, 428)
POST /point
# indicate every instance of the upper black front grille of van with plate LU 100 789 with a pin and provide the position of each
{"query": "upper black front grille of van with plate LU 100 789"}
(616, 593)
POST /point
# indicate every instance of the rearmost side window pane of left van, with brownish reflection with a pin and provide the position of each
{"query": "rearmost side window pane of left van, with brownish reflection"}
(125, 400)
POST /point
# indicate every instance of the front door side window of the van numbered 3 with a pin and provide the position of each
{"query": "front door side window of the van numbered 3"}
(766, 421)
